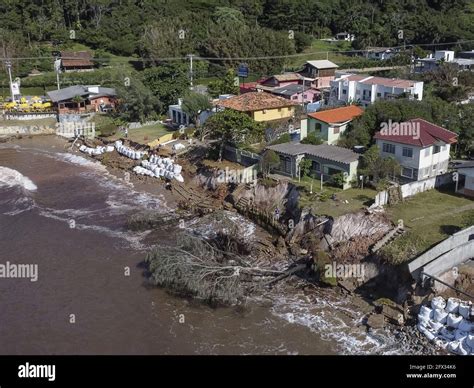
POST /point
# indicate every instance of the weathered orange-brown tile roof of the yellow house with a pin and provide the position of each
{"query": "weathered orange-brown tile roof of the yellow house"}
(253, 101)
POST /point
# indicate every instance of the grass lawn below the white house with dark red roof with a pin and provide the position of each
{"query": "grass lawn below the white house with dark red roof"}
(432, 216)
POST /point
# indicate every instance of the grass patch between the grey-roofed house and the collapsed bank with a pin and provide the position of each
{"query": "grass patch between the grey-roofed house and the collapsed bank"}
(321, 203)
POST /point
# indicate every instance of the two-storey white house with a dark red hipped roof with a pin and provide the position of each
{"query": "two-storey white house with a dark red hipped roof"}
(421, 148)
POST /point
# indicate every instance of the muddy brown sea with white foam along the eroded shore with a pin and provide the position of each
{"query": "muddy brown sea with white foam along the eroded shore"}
(68, 214)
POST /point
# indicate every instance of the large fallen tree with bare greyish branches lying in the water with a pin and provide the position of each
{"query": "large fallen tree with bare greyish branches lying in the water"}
(196, 268)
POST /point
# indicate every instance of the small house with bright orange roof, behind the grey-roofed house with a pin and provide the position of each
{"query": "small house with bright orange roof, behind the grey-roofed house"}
(330, 124)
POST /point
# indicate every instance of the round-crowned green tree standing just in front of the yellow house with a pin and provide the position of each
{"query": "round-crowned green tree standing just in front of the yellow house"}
(230, 126)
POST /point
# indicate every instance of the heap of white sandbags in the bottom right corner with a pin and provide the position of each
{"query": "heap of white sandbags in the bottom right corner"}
(450, 324)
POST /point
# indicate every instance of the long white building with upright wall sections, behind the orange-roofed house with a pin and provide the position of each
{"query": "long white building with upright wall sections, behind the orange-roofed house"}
(367, 89)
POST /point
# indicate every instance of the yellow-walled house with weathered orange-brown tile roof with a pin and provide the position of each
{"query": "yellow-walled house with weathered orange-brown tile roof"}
(261, 106)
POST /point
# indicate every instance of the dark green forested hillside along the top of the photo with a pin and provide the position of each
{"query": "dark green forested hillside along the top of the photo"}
(157, 29)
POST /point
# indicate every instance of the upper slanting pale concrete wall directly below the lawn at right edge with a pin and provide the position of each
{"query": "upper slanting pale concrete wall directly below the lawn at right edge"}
(452, 242)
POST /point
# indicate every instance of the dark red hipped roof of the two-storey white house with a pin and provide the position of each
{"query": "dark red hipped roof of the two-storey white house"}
(429, 134)
